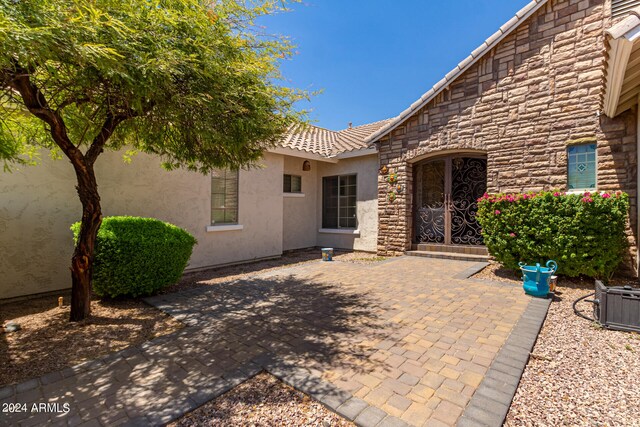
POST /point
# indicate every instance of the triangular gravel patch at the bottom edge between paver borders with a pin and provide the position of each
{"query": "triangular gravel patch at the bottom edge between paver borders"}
(262, 401)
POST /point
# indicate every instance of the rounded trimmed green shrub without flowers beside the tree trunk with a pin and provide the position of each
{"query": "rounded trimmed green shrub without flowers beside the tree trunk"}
(138, 256)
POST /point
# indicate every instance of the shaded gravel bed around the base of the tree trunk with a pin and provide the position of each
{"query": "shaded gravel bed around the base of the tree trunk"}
(47, 341)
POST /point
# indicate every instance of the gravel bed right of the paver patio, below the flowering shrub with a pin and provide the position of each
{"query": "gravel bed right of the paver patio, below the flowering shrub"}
(579, 374)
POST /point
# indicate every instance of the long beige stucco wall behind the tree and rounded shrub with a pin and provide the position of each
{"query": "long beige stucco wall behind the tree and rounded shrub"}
(38, 204)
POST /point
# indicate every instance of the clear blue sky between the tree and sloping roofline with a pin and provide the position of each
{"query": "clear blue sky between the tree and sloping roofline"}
(373, 58)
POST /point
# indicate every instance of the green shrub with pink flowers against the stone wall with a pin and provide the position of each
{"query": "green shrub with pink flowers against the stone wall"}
(584, 233)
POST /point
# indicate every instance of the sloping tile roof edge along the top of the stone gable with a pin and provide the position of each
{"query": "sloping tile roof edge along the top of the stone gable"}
(463, 66)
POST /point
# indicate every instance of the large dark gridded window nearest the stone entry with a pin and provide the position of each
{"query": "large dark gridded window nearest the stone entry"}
(339, 202)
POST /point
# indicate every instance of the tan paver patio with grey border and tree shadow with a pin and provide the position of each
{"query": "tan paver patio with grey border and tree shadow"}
(404, 340)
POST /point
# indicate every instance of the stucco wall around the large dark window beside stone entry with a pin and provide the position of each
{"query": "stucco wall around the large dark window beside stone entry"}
(366, 168)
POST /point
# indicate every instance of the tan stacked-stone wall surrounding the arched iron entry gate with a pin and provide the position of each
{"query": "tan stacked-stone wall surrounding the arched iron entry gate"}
(521, 104)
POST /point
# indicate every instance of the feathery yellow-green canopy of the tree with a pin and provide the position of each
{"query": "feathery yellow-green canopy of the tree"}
(193, 81)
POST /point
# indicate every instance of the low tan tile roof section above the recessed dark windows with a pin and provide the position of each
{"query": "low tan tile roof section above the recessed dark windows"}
(328, 143)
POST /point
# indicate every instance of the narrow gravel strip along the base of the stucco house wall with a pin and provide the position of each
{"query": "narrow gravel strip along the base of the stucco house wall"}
(217, 275)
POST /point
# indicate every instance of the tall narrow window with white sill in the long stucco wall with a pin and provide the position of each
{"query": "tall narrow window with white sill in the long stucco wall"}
(224, 196)
